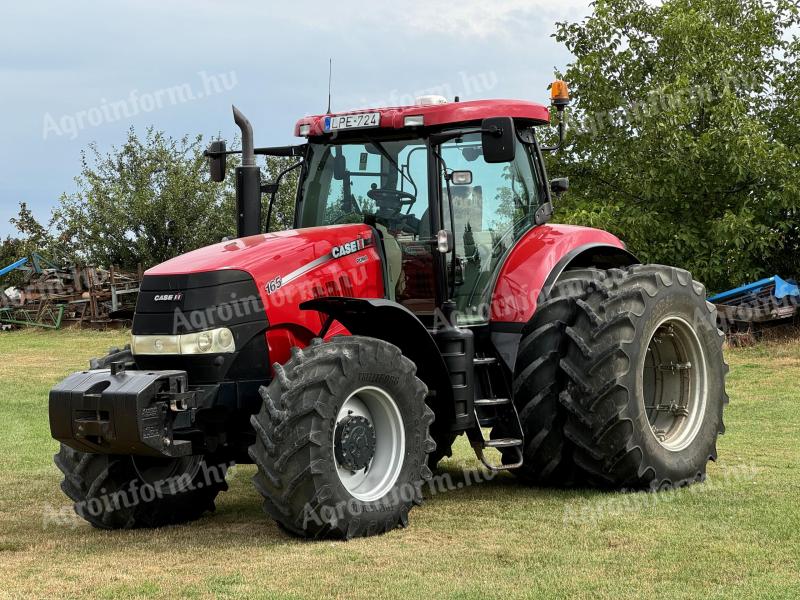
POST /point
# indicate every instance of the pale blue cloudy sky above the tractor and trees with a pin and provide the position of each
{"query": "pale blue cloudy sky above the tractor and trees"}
(73, 73)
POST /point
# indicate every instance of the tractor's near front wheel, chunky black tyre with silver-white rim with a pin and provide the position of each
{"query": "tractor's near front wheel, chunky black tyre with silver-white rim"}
(299, 475)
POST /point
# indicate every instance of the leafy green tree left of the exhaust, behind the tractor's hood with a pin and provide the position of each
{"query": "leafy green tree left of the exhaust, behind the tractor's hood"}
(144, 202)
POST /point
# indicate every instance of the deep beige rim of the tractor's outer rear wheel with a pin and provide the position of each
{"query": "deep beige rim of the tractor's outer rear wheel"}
(674, 384)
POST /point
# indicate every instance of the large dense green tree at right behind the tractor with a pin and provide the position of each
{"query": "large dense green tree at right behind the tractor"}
(686, 129)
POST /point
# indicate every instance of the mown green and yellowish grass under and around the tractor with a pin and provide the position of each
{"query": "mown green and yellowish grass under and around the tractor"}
(737, 535)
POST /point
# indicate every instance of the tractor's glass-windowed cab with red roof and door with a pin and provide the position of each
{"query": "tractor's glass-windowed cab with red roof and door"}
(449, 199)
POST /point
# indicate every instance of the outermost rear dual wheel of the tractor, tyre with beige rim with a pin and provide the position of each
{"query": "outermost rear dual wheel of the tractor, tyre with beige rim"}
(646, 380)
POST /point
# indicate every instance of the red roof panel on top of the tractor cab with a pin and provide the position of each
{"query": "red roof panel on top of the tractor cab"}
(434, 115)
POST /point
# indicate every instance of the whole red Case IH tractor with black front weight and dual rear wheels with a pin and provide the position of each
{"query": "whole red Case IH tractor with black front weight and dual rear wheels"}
(421, 295)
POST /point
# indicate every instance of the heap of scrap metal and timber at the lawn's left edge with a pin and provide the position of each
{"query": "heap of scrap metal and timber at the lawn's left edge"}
(50, 296)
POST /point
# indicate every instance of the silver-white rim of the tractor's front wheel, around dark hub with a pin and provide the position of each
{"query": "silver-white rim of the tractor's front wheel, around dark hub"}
(379, 409)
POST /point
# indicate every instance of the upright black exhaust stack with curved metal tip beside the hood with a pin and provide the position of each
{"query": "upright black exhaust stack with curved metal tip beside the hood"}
(248, 182)
